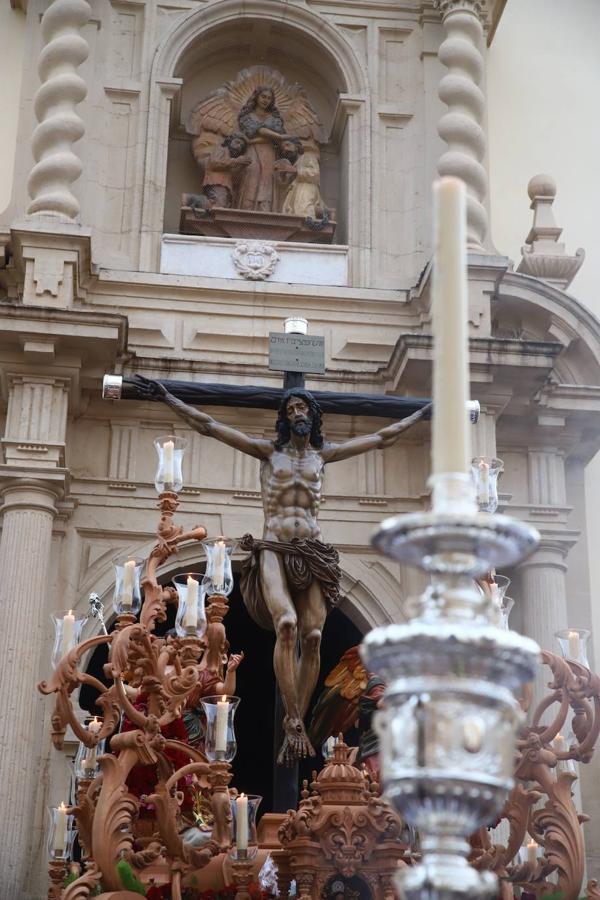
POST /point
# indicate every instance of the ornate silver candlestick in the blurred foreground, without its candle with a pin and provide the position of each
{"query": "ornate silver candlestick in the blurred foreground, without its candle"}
(447, 730)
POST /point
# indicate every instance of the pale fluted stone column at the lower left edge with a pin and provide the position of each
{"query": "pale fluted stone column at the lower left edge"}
(25, 545)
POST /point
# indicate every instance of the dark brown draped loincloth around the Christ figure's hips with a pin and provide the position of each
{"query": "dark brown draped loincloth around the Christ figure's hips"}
(304, 561)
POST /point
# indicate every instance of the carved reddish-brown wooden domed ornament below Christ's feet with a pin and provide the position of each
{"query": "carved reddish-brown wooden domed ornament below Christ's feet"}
(344, 839)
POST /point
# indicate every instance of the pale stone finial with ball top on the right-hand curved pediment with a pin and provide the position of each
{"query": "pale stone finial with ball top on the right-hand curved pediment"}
(543, 255)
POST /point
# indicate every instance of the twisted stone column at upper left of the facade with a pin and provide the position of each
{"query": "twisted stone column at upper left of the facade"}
(62, 88)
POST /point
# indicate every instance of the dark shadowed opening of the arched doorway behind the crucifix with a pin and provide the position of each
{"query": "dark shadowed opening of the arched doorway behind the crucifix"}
(253, 767)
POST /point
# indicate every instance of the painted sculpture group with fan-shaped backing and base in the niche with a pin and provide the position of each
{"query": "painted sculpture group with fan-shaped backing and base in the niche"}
(257, 142)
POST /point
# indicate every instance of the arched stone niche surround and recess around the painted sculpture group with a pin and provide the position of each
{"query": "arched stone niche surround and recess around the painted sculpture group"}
(208, 47)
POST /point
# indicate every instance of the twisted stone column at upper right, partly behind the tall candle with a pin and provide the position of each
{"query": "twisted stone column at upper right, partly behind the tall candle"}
(461, 126)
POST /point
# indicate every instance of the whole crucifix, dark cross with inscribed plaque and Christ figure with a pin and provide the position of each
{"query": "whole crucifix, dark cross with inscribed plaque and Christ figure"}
(290, 579)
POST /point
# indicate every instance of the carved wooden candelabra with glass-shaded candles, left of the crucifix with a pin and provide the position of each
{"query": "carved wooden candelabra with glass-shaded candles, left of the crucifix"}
(141, 839)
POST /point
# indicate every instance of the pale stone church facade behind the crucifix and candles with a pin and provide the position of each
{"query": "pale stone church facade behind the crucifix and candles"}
(83, 292)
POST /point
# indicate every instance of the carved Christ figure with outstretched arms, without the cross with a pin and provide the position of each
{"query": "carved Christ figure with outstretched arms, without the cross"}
(290, 580)
